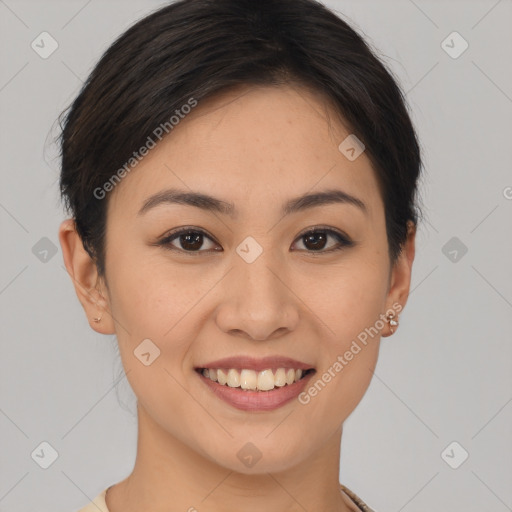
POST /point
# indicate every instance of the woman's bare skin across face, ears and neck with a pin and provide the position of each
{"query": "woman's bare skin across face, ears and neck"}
(256, 147)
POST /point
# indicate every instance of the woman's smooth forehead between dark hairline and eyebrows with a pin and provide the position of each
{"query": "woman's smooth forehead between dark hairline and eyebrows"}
(249, 145)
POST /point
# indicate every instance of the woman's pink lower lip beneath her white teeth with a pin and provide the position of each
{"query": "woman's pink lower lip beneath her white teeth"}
(257, 400)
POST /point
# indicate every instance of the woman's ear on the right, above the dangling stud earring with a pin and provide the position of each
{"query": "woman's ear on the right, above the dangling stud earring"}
(400, 278)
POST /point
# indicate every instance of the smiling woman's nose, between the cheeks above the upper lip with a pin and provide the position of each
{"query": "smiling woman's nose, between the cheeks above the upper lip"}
(257, 300)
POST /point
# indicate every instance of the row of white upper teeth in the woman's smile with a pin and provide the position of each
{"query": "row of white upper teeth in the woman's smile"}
(249, 379)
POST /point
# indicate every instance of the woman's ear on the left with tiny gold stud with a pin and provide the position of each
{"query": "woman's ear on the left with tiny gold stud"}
(91, 289)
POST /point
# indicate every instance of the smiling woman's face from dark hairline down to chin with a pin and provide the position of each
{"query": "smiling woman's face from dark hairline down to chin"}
(255, 284)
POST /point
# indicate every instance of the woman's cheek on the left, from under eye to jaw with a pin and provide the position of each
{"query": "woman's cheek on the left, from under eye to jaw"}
(154, 332)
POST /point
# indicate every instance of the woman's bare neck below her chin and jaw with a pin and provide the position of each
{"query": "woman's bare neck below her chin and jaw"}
(169, 472)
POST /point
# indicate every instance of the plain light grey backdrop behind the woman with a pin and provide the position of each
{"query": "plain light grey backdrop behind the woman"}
(445, 376)
